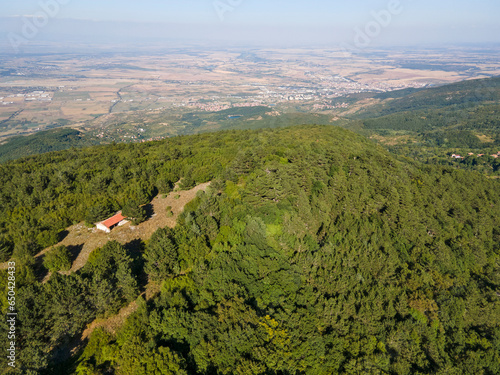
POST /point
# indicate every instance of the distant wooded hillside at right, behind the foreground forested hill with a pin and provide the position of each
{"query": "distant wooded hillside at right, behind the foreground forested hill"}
(430, 125)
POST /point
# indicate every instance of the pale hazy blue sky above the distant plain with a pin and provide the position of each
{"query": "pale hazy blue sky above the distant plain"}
(357, 24)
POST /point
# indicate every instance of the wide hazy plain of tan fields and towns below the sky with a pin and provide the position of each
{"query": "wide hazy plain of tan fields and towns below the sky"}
(112, 96)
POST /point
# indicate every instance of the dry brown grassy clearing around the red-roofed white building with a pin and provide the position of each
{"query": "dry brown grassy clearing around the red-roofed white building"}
(81, 240)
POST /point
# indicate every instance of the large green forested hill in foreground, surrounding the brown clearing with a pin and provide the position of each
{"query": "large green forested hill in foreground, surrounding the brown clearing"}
(314, 251)
